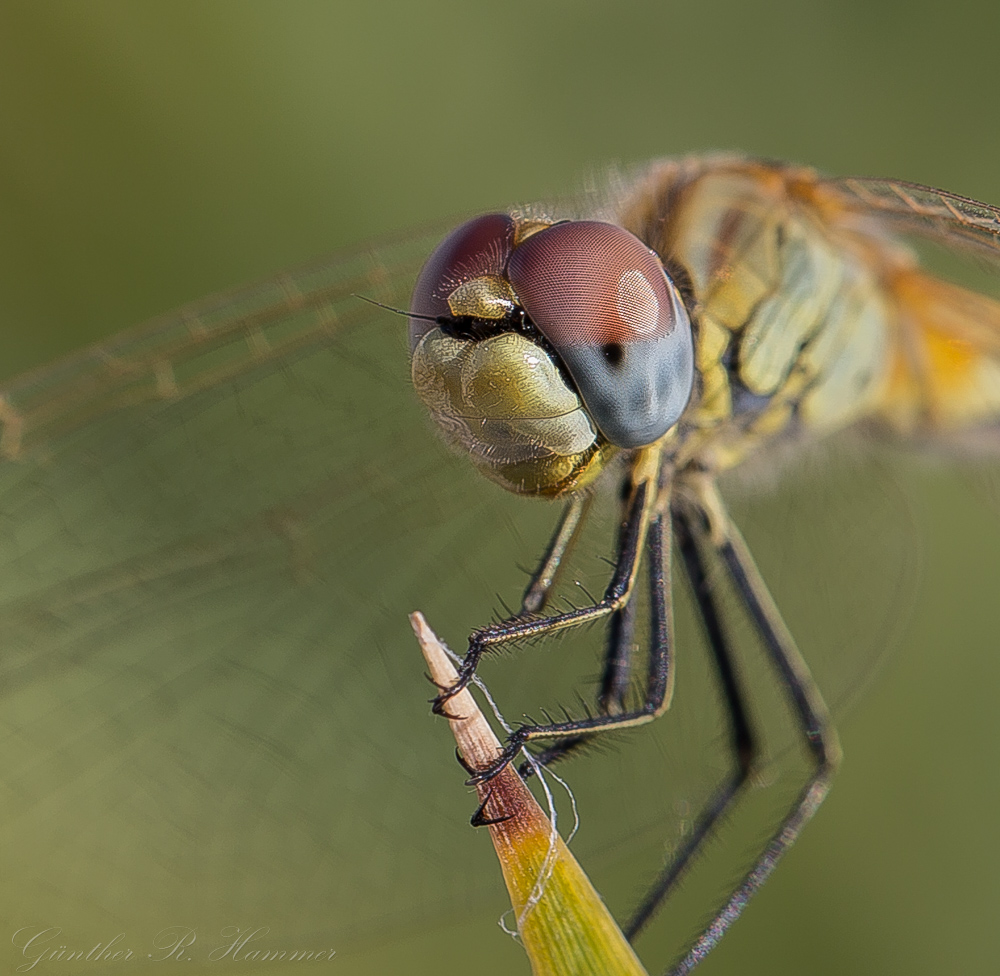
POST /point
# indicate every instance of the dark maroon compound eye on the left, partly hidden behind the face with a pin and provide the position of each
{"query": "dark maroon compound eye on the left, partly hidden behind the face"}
(478, 248)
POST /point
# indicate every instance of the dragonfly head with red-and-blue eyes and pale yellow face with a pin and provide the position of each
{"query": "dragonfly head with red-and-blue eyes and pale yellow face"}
(540, 349)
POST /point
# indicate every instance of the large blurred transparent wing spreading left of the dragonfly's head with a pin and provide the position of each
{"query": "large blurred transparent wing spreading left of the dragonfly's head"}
(211, 710)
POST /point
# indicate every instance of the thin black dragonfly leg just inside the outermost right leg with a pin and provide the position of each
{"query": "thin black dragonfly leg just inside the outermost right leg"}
(743, 743)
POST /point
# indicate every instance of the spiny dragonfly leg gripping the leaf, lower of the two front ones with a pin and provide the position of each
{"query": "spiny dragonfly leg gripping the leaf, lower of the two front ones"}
(659, 680)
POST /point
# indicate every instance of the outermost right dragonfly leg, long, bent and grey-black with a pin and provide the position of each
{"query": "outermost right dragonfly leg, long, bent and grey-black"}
(808, 706)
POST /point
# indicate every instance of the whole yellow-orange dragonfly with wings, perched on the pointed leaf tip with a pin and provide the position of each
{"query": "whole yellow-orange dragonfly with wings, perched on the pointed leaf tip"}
(208, 731)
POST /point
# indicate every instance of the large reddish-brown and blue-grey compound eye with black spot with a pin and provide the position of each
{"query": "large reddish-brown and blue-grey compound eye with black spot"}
(604, 302)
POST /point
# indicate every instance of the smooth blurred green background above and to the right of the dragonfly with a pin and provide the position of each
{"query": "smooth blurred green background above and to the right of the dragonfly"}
(151, 153)
